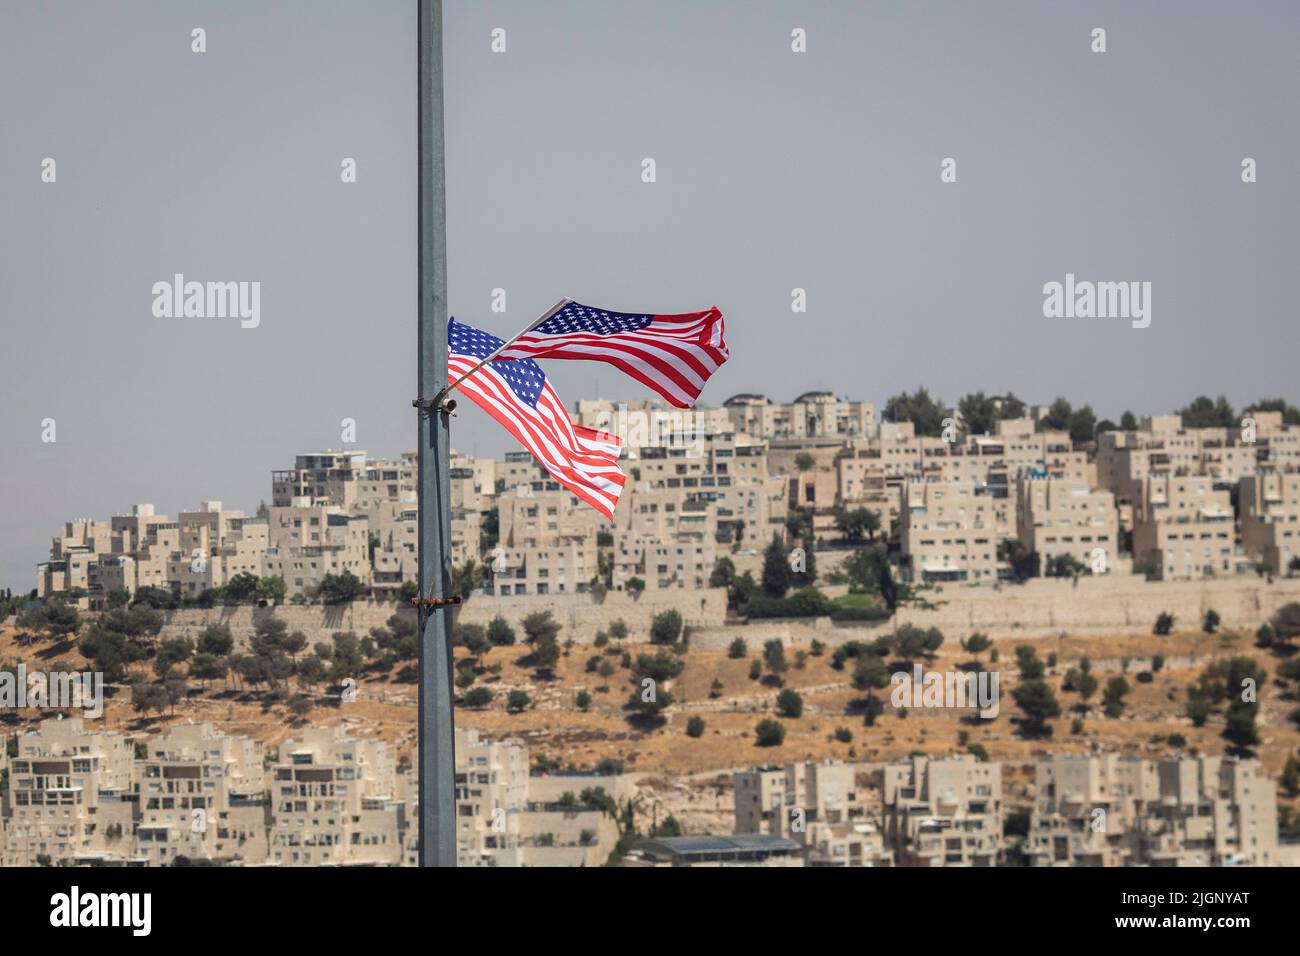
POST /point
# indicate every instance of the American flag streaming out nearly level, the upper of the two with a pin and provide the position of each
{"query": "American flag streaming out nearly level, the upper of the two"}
(673, 354)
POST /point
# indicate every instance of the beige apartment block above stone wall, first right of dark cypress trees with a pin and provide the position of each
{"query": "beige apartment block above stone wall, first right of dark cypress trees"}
(950, 533)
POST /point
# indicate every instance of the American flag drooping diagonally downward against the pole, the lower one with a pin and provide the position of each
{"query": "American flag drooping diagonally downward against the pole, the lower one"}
(519, 397)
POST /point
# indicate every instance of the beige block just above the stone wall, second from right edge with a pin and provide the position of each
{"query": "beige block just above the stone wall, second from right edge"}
(1184, 527)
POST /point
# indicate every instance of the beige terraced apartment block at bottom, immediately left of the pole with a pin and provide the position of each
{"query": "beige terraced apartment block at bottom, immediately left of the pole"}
(335, 802)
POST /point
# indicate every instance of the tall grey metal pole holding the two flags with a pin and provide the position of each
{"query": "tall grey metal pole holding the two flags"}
(436, 737)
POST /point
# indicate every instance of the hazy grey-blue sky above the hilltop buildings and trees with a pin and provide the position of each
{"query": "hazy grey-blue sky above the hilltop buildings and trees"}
(775, 171)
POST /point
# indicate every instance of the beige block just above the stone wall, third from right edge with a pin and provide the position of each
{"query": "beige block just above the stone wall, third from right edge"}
(1059, 518)
